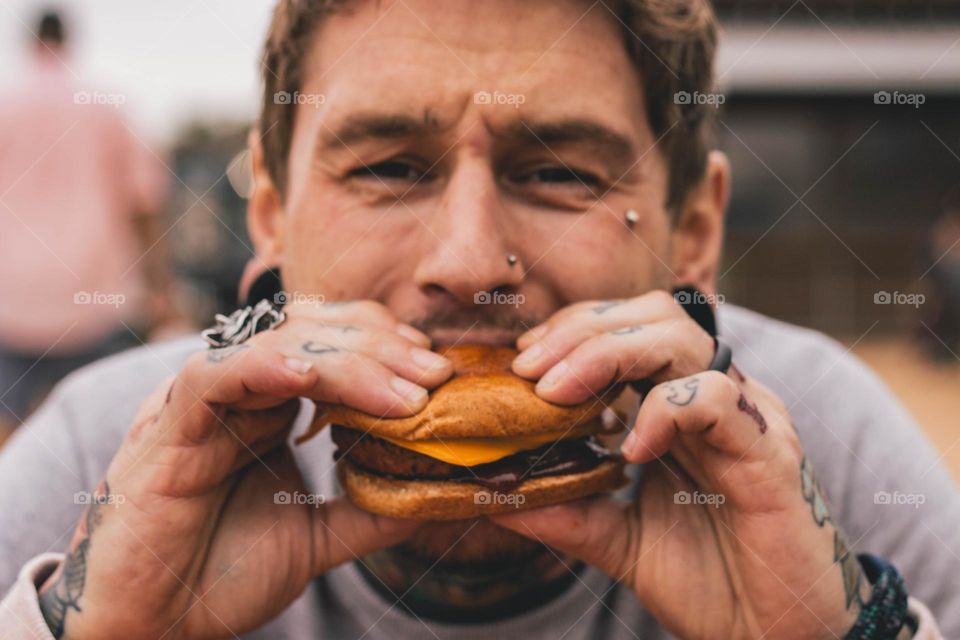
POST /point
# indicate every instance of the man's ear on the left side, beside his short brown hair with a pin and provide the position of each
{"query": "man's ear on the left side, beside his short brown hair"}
(265, 219)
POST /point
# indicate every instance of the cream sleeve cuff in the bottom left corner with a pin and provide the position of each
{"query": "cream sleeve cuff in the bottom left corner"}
(20, 615)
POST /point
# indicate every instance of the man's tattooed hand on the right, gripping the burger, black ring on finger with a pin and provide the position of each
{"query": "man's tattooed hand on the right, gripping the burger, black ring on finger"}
(730, 535)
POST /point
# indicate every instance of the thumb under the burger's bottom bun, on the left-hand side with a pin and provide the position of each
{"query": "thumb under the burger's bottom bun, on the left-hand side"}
(343, 532)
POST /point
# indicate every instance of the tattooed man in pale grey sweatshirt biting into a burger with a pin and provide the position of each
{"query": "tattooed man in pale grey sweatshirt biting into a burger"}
(389, 183)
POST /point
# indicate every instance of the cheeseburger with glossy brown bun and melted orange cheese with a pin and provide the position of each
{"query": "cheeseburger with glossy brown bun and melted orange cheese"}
(485, 443)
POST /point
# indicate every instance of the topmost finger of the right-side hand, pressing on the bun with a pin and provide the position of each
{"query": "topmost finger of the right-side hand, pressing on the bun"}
(572, 326)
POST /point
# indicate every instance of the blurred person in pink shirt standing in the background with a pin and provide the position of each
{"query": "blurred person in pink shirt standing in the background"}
(79, 194)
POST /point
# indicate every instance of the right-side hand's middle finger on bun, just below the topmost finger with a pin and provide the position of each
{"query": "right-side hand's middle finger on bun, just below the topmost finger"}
(659, 351)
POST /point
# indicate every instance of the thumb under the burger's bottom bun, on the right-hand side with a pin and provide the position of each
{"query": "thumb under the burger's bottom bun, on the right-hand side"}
(599, 531)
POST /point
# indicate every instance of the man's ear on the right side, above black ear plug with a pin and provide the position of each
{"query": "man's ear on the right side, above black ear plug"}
(697, 238)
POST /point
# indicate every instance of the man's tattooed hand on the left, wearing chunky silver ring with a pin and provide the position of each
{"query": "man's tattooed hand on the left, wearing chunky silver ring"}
(185, 538)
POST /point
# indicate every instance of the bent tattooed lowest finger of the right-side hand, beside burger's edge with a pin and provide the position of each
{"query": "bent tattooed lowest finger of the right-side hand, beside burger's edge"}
(709, 405)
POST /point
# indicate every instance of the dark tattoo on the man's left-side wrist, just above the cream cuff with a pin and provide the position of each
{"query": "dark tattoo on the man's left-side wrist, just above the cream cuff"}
(63, 589)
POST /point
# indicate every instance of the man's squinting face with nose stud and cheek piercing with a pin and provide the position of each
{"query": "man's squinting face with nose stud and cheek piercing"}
(435, 138)
